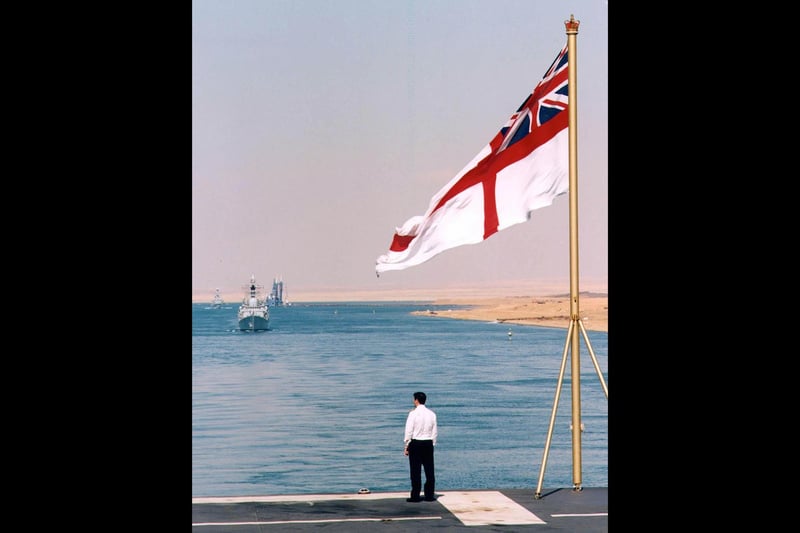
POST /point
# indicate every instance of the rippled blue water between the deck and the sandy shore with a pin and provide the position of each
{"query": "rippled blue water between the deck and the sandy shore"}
(318, 404)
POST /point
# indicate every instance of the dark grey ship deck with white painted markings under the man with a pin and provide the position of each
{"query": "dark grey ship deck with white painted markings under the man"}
(505, 510)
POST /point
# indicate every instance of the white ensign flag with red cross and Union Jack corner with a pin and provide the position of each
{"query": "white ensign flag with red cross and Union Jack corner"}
(523, 168)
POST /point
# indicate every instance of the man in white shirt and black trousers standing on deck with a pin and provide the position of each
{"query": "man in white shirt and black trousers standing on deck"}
(420, 438)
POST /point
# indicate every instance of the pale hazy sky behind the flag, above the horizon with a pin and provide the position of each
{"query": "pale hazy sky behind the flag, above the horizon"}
(319, 126)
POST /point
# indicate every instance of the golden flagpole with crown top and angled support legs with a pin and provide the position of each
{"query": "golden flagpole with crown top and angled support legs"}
(573, 336)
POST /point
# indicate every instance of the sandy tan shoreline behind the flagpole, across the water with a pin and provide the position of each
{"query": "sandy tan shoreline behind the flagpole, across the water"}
(548, 311)
